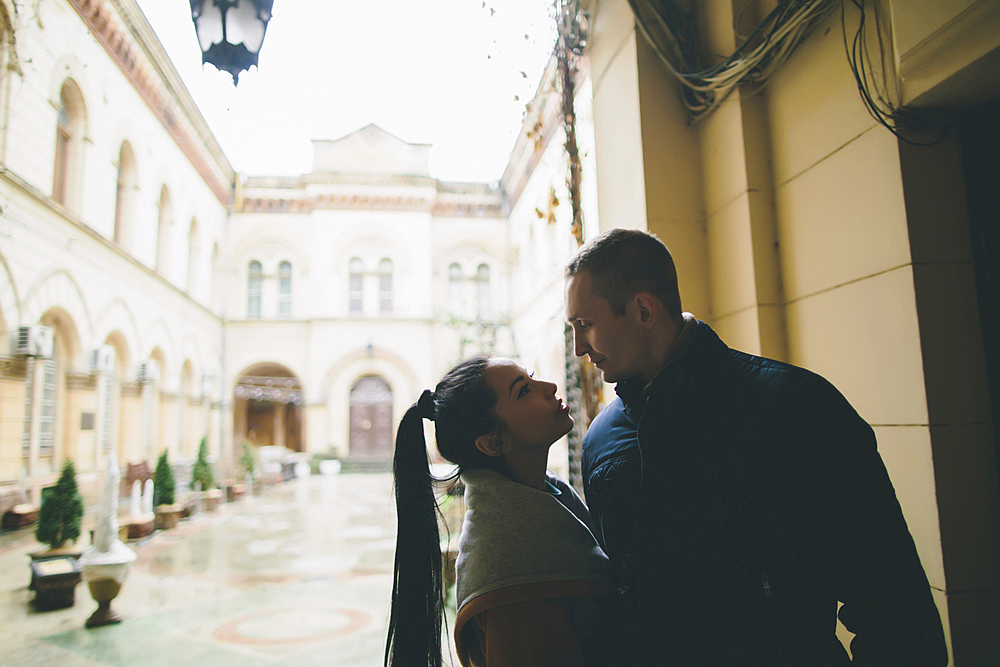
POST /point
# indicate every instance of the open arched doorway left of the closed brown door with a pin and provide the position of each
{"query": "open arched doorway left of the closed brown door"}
(268, 408)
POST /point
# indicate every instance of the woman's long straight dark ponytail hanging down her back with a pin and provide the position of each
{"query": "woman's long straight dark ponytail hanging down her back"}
(417, 612)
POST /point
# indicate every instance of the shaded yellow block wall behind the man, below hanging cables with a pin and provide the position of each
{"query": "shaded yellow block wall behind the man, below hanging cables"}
(805, 231)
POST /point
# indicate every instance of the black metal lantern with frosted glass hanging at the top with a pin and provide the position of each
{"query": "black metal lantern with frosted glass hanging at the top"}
(230, 32)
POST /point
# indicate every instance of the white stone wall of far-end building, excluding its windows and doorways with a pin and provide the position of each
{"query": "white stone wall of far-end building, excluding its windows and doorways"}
(322, 343)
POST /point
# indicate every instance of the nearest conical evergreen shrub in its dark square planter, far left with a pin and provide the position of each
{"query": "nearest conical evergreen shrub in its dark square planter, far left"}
(55, 573)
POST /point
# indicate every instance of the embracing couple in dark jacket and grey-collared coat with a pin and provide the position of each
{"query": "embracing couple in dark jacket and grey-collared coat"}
(734, 502)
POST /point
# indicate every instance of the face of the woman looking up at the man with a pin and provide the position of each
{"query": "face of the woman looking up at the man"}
(531, 413)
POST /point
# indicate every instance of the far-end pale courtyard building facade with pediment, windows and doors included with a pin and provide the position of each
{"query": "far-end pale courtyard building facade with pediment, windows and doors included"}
(358, 285)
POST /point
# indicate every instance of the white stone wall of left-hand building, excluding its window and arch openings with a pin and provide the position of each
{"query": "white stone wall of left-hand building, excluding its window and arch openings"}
(60, 264)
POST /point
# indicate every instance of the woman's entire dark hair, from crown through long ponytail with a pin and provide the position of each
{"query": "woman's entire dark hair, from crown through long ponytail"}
(462, 407)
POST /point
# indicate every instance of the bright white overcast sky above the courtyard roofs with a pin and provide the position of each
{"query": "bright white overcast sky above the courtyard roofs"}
(452, 73)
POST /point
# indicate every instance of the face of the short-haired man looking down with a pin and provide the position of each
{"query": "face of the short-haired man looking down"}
(613, 344)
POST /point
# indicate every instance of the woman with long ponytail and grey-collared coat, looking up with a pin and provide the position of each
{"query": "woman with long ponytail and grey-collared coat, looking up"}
(530, 573)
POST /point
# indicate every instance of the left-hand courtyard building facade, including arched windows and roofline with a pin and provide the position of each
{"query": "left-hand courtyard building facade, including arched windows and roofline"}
(114, 197)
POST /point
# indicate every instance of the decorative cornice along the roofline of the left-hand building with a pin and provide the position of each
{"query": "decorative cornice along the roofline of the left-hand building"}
(155, 92)
